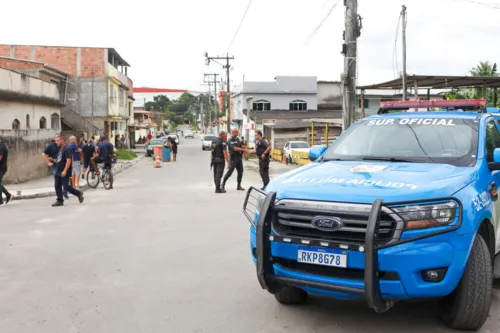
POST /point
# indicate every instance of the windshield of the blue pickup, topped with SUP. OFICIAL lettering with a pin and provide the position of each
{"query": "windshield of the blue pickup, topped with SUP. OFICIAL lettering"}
(419, 140)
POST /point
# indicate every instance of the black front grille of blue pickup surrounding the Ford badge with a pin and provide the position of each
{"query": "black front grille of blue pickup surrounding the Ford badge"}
(296, 221)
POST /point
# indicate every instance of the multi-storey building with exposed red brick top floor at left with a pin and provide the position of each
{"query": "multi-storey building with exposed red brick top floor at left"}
(97, 90)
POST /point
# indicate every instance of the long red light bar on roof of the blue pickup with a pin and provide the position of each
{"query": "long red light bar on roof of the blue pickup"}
(441, 104)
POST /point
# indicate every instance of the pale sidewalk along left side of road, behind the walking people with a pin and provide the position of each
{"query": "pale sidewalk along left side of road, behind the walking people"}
(44, 187)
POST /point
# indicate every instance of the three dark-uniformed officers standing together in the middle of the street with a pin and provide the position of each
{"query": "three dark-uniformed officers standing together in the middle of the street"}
(234, 159)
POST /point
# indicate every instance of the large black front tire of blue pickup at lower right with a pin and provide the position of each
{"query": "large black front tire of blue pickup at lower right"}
(467, 308)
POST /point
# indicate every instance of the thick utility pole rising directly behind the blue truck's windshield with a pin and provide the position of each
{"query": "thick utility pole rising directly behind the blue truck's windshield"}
(351, 33)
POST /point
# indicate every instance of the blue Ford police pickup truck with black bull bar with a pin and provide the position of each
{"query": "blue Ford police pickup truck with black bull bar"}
(401, 206)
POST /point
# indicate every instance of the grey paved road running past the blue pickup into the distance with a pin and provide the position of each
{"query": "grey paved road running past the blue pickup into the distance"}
(160, 253)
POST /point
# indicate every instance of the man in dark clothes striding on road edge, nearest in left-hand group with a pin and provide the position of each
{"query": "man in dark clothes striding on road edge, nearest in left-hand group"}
(63, 173)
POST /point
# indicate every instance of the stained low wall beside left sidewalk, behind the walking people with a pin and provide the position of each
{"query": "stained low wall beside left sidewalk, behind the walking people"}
(25, 149)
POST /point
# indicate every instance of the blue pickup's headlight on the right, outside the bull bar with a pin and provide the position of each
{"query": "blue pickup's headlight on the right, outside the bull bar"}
(427, 216)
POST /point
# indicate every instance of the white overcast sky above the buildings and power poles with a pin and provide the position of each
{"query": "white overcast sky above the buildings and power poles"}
(164, 41)
